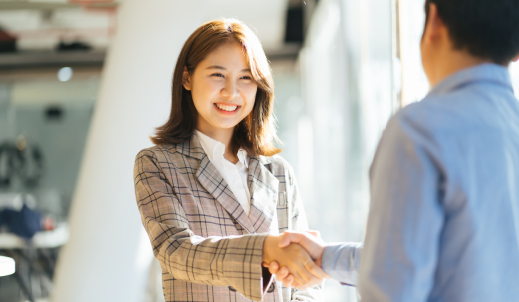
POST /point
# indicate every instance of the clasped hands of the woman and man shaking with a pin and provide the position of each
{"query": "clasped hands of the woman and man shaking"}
(295, 257)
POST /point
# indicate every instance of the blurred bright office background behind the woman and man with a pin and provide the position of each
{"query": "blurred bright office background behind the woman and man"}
(83, 84)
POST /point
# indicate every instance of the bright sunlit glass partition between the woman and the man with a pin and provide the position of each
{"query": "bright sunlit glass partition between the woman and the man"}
(347, 89)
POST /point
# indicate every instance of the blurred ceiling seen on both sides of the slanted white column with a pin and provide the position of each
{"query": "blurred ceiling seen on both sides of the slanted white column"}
(42, 24)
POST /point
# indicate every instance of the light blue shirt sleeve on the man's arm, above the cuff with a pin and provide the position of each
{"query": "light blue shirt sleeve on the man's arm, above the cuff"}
(402, 242)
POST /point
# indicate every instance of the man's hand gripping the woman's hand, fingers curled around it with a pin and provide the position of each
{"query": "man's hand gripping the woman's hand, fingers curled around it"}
(311, 241)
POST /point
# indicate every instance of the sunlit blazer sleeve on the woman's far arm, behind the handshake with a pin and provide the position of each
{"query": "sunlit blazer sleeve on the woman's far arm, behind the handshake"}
(300, 223)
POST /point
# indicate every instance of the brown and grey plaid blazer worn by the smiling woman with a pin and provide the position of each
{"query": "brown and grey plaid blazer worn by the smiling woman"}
(209, 250)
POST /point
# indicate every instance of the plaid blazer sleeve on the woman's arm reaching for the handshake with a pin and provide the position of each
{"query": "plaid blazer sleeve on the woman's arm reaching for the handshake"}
(220, 261)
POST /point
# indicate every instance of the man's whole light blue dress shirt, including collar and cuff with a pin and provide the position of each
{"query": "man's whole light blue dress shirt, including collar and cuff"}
(444, 215)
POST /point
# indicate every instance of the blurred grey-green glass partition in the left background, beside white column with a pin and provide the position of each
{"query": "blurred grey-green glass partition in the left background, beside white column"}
(49, 111)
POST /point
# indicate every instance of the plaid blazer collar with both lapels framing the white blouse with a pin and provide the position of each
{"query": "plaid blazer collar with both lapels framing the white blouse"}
(263, 186)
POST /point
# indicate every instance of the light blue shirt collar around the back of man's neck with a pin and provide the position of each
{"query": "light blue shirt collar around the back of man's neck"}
(487, 72)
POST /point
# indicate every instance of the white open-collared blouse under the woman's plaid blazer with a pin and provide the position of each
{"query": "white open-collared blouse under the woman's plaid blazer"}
(235, 175)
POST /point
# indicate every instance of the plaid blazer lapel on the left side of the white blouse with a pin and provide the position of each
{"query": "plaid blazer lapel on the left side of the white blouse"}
(213, 182)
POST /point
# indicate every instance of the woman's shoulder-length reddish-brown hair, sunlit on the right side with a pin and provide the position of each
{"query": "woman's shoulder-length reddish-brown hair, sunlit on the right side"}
(256, 132)
